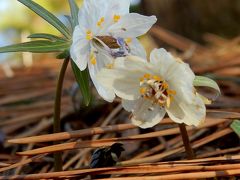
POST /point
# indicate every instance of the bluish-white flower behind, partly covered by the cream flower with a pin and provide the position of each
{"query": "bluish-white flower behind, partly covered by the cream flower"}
(107, 30)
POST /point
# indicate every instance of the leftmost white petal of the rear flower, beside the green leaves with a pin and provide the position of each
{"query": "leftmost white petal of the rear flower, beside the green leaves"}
(80, 49)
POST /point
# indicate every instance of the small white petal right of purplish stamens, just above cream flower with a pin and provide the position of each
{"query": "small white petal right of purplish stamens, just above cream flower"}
(137, 48)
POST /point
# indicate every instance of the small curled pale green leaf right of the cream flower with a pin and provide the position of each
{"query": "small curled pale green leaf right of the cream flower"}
(207, 82)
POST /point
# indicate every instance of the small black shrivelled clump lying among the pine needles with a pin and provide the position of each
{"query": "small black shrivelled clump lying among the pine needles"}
(106, 157)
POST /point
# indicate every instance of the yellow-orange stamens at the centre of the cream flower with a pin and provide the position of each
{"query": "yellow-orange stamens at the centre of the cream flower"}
(155, 89)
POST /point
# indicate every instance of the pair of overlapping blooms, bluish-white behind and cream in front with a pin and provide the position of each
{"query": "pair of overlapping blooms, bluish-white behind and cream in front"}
(106, 42)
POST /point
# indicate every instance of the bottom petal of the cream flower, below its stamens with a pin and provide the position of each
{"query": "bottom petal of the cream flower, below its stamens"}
(146, 115)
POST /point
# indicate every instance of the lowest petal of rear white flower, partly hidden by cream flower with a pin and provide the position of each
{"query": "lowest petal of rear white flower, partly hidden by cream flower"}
(106, 93)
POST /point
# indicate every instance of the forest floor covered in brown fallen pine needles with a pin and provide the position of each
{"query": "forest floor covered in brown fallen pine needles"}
(26, 111)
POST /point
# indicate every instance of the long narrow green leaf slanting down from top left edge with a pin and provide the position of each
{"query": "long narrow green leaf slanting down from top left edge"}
(48, 16)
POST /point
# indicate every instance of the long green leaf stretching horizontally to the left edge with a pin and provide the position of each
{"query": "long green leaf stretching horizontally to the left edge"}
(41, 46)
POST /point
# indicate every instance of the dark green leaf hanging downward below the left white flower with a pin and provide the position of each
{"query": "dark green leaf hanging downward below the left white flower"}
(82, 78)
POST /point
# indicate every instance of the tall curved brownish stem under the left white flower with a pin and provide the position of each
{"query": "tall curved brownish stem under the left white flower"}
(57, 111)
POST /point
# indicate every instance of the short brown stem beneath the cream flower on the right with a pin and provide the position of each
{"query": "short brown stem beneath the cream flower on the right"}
(186, 142)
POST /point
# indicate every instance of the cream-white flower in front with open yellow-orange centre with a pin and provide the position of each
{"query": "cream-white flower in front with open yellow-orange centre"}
(150, 89)
